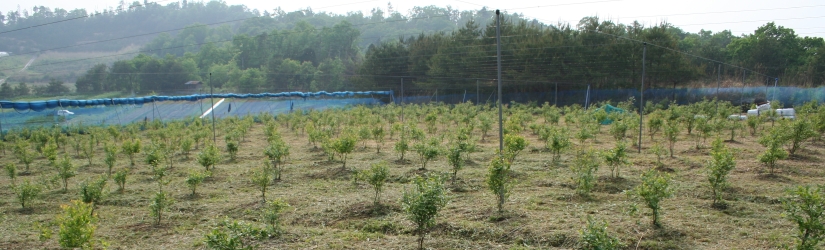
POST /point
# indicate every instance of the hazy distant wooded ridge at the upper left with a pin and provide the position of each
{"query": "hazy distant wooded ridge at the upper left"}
(72, 27)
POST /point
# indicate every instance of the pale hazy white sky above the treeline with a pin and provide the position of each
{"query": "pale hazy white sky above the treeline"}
(806, 17)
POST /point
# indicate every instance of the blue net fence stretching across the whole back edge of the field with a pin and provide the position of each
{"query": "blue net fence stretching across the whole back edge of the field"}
(115, 111)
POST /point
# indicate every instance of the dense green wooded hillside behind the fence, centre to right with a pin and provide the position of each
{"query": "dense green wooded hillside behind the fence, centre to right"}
(447, 48)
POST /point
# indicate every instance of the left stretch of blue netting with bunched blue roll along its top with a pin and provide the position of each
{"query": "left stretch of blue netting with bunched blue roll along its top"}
(118, 111)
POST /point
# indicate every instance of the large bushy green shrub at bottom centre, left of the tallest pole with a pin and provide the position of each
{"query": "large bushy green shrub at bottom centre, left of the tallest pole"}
(422, 204)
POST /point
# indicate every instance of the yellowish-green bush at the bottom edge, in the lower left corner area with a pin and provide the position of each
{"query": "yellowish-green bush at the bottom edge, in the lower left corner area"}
(76, 226)
